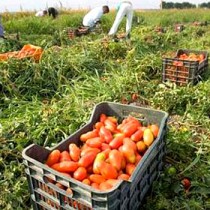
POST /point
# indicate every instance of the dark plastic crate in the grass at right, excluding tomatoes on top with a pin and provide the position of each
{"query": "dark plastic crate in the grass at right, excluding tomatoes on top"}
(188, 72)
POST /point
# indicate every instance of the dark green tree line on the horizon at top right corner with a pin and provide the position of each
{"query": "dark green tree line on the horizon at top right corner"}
(184, 5)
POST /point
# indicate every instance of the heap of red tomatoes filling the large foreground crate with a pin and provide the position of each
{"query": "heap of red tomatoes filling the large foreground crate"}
(108, 153)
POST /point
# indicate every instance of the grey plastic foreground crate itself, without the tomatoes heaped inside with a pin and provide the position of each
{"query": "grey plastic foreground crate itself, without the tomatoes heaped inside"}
(126, 195)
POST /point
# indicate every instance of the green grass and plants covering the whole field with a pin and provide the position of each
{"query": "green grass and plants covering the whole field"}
(45, 102)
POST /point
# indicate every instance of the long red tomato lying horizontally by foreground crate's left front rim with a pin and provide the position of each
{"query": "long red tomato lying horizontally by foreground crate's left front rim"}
(65, 166)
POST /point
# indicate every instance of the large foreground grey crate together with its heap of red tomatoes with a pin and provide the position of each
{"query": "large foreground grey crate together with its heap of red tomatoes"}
(92, 169)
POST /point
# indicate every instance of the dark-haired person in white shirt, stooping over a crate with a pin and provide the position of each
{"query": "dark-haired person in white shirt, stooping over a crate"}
(94, 16)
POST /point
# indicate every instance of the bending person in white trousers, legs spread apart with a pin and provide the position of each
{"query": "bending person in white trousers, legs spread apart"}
(125, 9)
